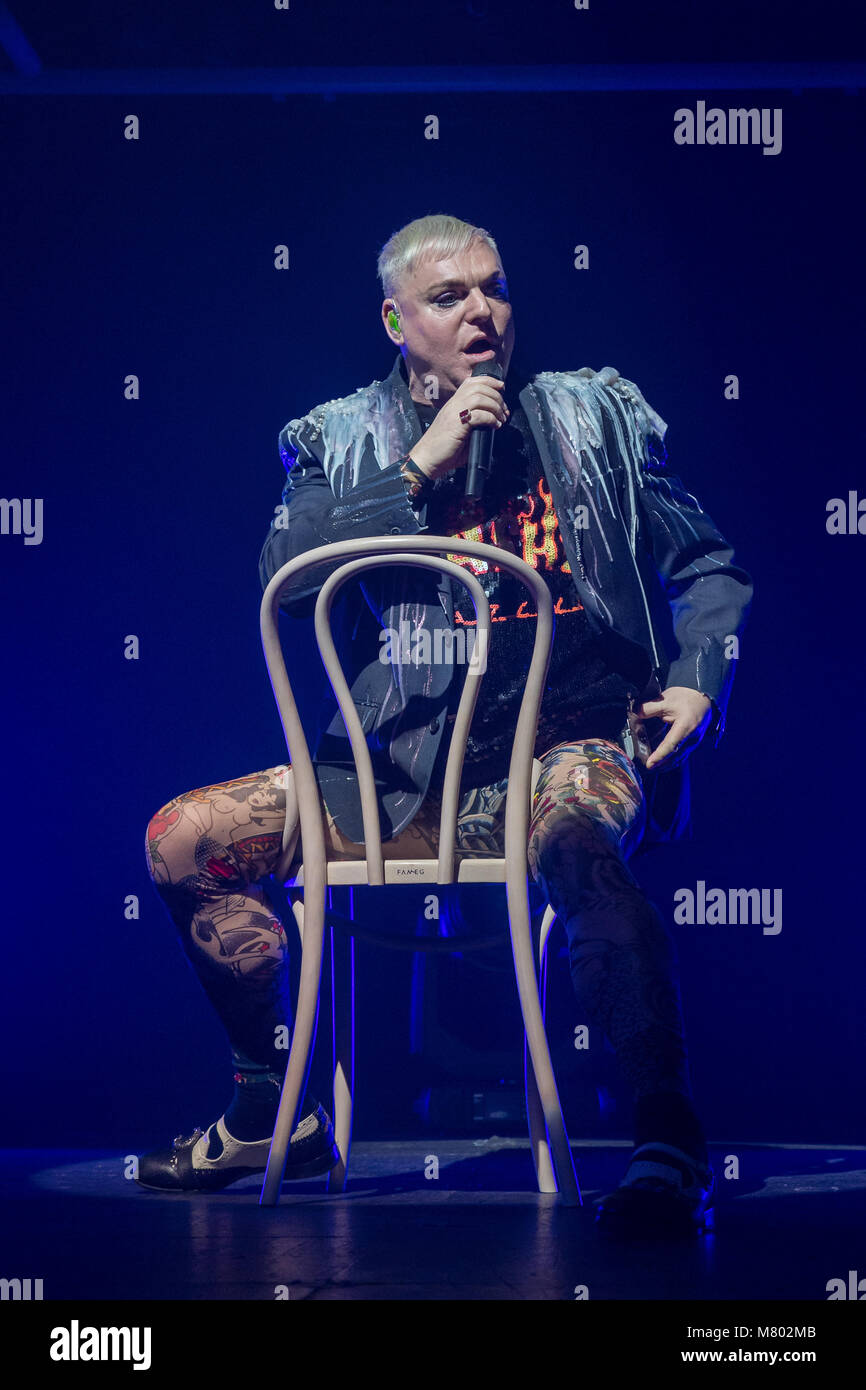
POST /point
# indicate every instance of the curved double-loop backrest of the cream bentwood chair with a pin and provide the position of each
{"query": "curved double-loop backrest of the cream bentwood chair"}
(423, 553)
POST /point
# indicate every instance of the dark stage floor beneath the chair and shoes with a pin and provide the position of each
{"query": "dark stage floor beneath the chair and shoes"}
(793, 1221)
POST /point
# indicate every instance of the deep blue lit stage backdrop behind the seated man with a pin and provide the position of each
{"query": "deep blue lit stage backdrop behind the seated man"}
(156, 258)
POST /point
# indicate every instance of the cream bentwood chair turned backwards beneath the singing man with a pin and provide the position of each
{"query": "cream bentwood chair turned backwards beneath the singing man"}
(550, 1143)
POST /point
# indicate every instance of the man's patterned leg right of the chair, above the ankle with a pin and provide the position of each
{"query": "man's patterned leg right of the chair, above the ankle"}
(589, 814)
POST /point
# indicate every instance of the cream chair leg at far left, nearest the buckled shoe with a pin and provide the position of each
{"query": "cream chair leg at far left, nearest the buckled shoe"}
(313, 929)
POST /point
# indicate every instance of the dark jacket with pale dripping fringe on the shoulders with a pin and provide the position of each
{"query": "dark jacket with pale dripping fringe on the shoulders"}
(626, 525)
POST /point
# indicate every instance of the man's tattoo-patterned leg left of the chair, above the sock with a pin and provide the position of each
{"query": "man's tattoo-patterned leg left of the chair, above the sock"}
(205, 851)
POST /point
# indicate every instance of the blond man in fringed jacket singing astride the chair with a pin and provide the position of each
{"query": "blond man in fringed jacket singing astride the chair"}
(579, 489)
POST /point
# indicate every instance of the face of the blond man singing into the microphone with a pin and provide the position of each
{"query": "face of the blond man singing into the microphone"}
(444, 306)
